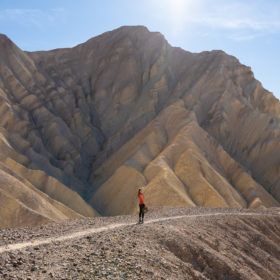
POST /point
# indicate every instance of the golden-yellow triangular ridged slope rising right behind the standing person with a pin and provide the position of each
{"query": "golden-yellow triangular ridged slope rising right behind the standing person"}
(189, 169)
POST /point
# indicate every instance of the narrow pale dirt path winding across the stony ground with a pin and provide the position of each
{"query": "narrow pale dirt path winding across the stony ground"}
(80, 234)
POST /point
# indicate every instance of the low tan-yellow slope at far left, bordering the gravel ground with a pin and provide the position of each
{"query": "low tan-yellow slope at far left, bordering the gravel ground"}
(22, 204)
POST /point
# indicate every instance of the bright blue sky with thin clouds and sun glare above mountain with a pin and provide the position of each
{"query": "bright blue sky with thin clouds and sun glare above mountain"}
(247, 29)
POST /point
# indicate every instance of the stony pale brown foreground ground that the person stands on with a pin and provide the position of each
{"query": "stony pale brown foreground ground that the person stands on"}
(205, 244)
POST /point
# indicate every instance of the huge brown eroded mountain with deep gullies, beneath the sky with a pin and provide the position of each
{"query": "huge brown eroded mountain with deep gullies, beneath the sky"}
(125, 109)
